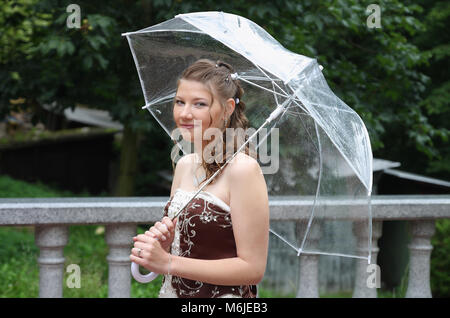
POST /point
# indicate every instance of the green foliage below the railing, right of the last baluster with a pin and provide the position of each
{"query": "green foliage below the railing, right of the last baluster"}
(440, 260)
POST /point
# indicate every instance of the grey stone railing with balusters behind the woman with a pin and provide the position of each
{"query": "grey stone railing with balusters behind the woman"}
(51, 218)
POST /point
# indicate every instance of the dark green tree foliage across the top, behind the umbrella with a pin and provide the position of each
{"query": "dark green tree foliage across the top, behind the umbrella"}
(394, 77)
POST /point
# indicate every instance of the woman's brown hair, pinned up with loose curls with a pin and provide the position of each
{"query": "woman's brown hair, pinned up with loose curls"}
(217, 77)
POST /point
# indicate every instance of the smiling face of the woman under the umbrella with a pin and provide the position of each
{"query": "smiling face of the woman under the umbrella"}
(194, 109)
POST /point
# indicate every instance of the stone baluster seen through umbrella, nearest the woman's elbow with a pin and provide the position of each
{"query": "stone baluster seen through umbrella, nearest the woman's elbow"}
(309, 264)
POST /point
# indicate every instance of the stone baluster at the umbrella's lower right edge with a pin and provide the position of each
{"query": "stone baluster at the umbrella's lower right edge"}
(360, 229)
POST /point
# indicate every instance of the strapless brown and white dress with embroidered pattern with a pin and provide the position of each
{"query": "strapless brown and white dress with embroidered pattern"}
(203, 231)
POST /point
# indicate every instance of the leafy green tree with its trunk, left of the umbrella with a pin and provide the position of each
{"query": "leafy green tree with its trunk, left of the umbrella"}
(49, 63)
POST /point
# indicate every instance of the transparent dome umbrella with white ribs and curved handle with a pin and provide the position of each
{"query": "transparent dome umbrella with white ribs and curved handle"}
(309, 143)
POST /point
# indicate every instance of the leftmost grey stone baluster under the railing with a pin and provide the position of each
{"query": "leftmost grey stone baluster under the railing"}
(51, 240)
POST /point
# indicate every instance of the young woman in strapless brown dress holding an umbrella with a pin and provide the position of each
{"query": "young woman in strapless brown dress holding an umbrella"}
(217, 247)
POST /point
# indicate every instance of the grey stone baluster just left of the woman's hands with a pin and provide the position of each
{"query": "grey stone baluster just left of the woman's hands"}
(120, 241)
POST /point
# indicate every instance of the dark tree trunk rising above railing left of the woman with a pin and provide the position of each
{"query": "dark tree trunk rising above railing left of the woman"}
(128, 163)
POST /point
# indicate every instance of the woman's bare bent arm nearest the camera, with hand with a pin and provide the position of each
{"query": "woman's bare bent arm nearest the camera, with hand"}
(250, 218)
